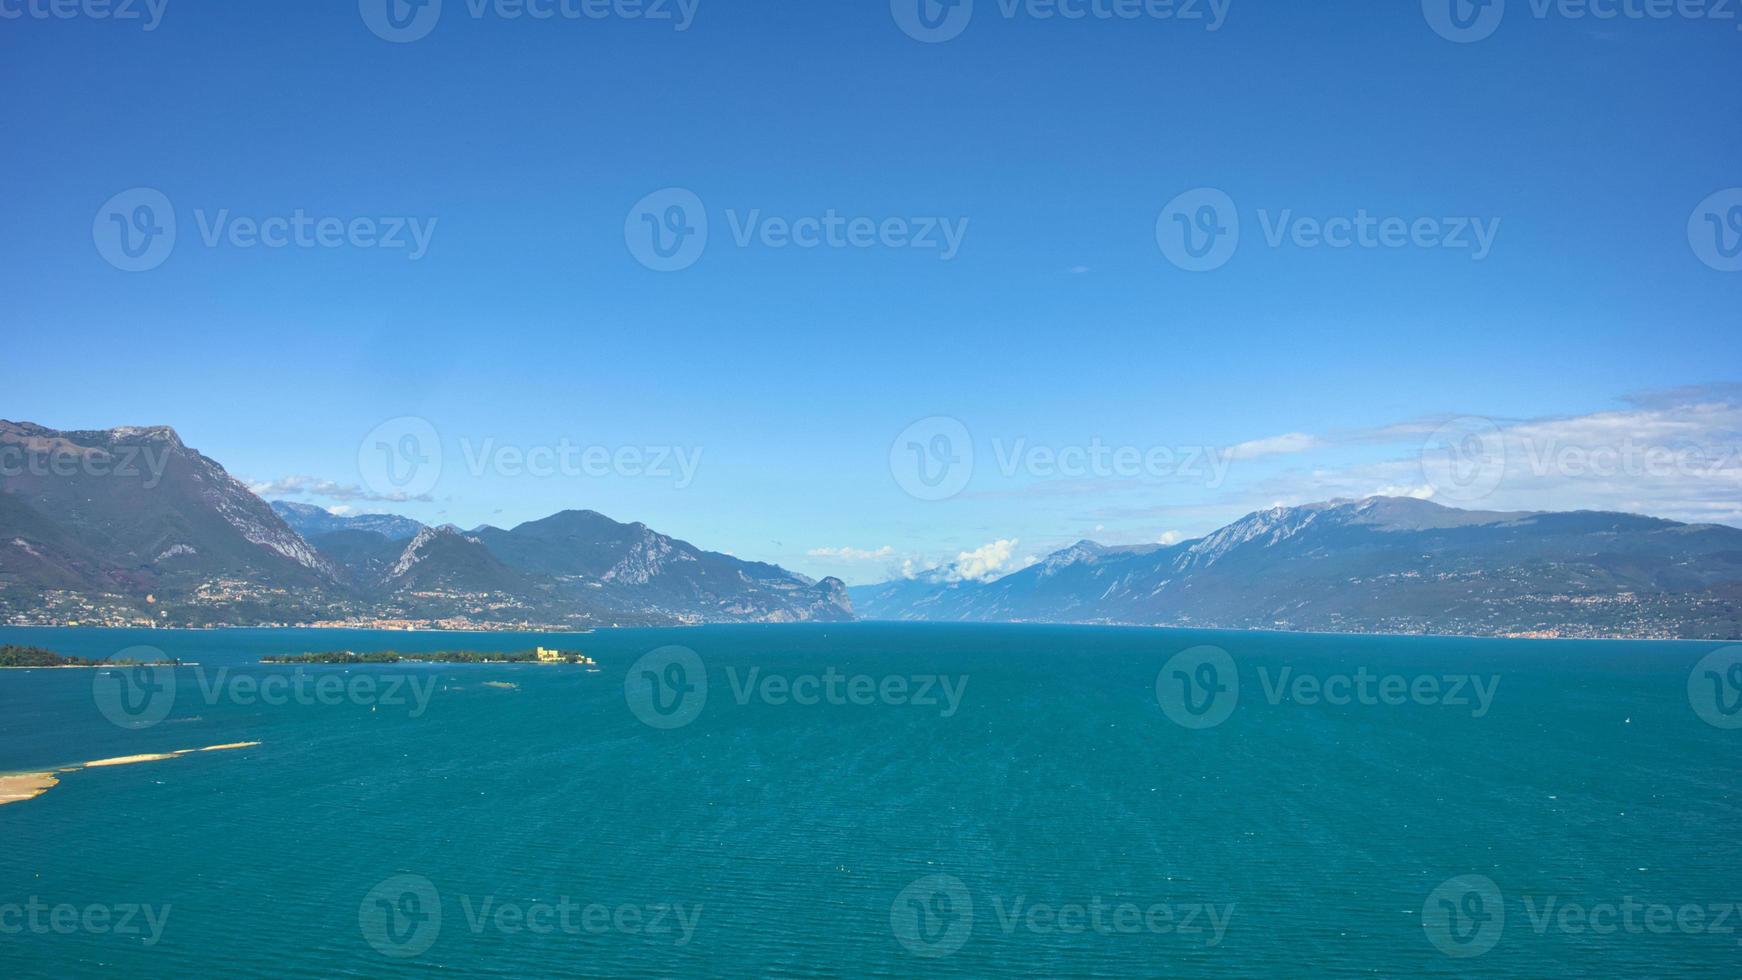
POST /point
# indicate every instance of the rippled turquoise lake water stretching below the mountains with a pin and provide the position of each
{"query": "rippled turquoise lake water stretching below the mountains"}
(879, 802)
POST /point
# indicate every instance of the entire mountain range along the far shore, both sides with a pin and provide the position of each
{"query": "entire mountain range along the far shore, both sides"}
(128, 525)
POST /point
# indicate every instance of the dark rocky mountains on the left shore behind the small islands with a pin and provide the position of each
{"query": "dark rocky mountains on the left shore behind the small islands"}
(130, 525)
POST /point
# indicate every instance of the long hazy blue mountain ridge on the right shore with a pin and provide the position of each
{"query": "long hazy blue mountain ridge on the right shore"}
(1377, 565)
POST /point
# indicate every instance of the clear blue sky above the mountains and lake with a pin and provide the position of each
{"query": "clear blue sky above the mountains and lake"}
(525, 147)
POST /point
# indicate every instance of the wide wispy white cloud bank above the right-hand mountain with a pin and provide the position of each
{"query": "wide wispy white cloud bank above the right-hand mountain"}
(1664, 453)
